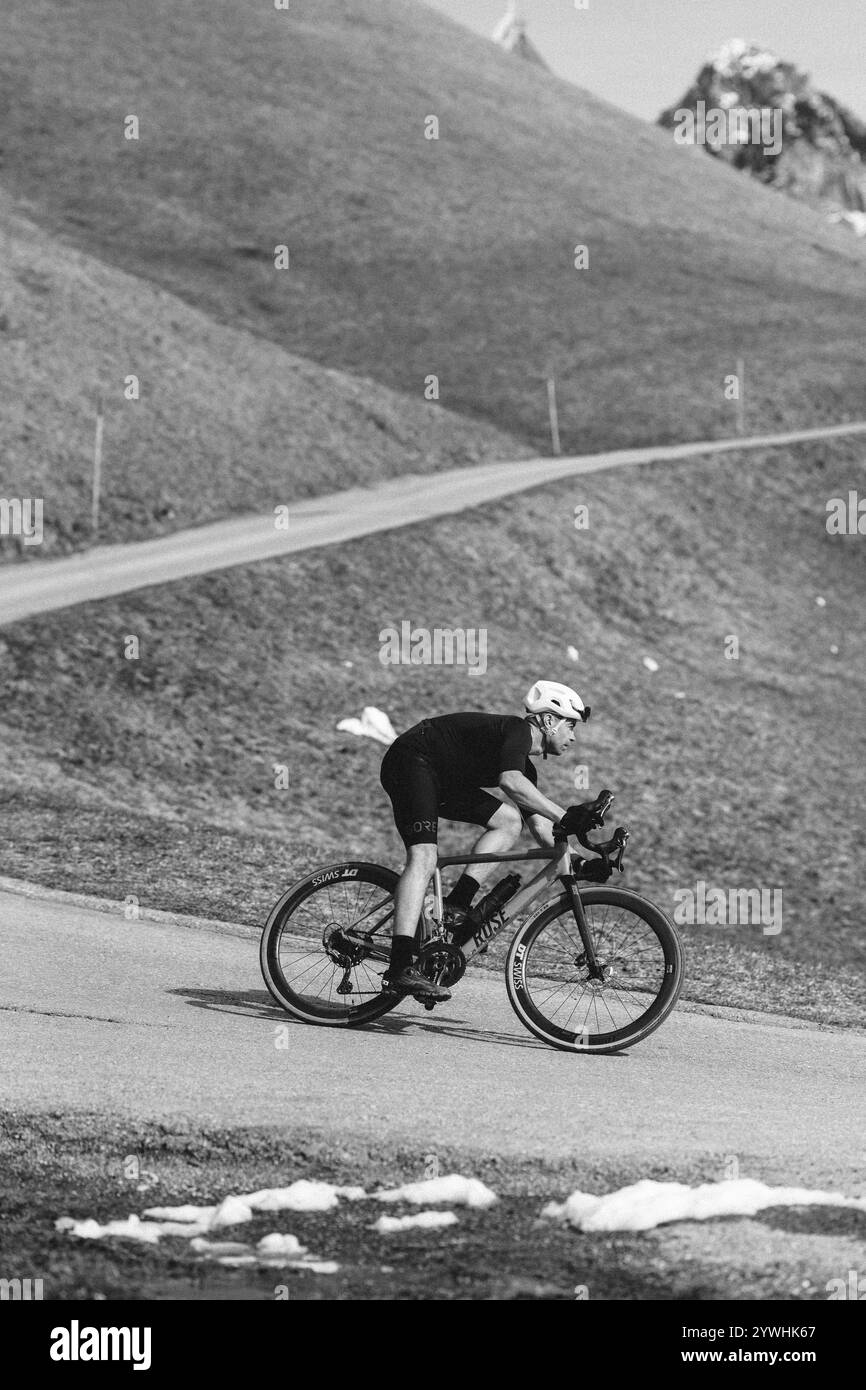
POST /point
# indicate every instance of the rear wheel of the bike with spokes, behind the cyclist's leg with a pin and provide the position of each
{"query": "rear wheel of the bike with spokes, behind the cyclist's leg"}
(327, 943)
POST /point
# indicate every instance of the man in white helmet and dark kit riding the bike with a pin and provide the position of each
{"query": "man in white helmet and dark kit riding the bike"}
(473, 768)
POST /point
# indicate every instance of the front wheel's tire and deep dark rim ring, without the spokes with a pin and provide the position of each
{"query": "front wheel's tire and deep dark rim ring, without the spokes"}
(618, 1039)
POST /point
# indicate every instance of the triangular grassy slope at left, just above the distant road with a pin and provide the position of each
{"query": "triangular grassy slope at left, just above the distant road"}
(226, 423)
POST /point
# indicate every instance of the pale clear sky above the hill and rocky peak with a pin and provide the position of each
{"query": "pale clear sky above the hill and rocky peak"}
(643, 55)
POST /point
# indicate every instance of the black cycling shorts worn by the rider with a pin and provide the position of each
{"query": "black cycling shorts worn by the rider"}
(411, 780)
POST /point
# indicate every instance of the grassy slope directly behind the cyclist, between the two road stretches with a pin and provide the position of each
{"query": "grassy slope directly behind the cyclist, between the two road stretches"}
(155, 778)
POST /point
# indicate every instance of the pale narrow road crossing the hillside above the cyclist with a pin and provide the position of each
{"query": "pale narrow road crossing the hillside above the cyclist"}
(104, 572)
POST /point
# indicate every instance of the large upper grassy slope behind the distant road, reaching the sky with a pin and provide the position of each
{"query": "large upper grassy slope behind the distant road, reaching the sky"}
(412, 256)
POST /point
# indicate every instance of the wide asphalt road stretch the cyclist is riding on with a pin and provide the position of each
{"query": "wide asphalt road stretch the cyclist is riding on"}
(166, 1021)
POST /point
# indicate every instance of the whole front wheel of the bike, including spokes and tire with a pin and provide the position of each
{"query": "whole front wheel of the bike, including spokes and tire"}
(554, 993)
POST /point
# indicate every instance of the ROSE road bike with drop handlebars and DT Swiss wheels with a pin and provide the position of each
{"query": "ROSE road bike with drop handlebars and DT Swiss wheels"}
(593, 970)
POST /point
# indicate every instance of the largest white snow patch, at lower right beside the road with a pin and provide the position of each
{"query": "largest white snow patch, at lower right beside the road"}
(648, 1204)
